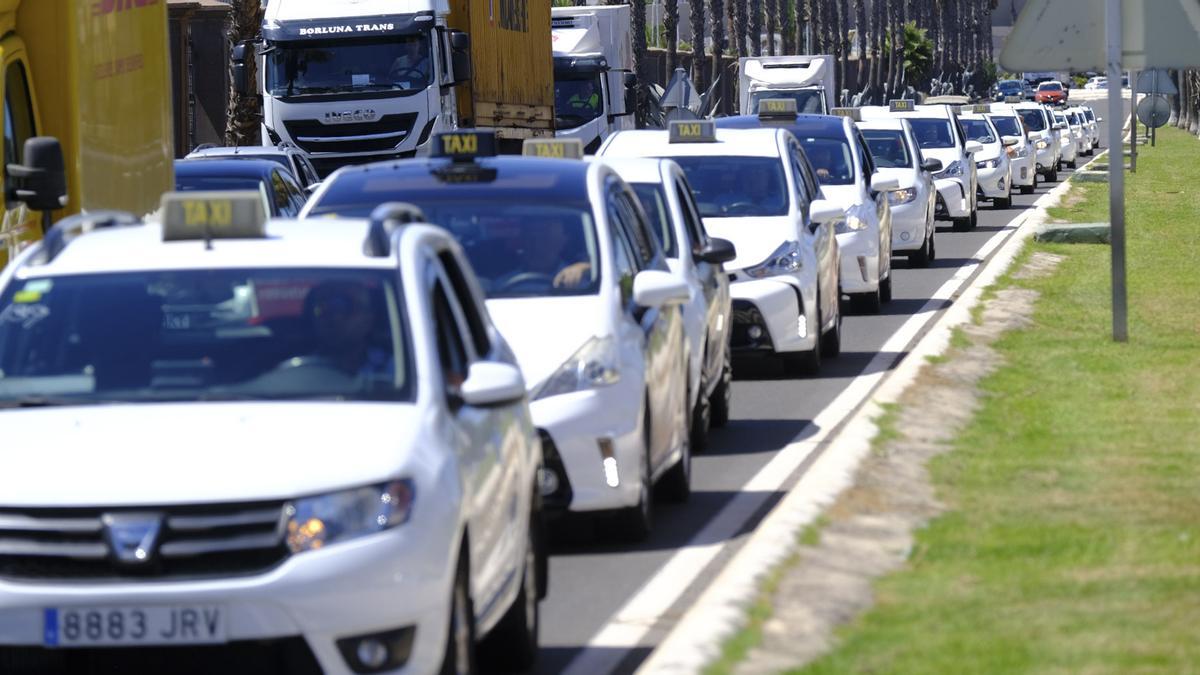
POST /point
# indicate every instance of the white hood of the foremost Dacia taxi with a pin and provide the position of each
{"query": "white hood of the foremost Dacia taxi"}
(199, 452)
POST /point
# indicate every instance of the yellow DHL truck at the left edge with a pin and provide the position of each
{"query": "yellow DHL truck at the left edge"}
(97, 76)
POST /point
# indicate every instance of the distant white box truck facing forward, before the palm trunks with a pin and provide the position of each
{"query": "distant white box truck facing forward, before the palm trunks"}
(809, 80)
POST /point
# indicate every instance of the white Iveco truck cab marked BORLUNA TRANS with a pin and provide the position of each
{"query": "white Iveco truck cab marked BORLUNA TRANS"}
(357, 82)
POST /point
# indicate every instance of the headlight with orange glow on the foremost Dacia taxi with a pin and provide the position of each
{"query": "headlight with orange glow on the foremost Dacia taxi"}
(315, 523)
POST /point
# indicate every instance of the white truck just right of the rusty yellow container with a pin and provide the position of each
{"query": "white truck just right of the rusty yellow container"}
(595, 76)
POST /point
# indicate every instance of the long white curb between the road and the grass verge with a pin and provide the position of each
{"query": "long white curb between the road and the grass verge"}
(698, 638)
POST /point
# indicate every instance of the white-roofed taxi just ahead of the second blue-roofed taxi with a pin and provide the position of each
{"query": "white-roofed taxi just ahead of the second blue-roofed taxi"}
(755, 189)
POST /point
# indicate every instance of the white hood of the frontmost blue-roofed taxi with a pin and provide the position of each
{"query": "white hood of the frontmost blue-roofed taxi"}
(547, 332)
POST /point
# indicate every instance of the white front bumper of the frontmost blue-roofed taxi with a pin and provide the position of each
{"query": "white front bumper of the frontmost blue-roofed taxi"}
(590, 428)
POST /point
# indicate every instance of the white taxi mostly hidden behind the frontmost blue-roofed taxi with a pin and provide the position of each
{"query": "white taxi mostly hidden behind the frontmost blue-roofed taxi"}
(699, 260)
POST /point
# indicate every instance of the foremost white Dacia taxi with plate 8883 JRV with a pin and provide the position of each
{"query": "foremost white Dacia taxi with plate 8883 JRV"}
(291, 443)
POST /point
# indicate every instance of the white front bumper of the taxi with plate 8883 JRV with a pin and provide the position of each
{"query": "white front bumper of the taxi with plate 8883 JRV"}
(387, 582)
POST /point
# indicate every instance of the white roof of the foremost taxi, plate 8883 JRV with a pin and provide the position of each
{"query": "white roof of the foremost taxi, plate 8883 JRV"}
(289, 244)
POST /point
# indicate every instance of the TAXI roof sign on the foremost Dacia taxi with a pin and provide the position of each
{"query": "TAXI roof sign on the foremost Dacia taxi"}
(214, 216)
